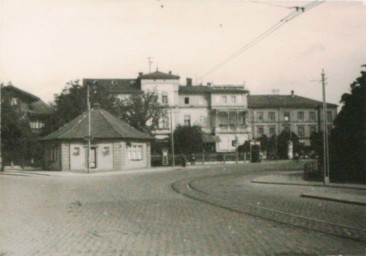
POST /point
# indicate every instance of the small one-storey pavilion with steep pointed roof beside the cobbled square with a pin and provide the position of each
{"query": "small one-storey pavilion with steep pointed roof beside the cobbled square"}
(115, 145)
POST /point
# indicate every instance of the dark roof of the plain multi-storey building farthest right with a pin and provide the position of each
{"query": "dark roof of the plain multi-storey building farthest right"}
(283, 101)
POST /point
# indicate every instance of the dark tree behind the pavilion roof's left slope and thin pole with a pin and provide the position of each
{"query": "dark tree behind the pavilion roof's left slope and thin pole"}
(71, 102)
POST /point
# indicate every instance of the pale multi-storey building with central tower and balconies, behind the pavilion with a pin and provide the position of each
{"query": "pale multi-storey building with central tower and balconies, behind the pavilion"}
(221, 111)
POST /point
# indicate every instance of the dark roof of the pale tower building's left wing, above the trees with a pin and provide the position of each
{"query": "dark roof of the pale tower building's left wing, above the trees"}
(116, 86)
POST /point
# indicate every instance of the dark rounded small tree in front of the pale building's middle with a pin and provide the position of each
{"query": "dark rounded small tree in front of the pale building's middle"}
(188, 139)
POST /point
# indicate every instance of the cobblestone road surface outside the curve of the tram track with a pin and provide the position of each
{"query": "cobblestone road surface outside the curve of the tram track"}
(140, 214)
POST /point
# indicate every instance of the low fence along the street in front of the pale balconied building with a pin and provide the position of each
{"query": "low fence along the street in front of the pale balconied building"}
(200, 158)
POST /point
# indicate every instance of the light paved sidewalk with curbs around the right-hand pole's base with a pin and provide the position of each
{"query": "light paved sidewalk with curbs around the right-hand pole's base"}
(346, 193)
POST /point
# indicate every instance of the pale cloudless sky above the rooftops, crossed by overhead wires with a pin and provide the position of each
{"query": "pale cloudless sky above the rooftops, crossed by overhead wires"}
(44, 44)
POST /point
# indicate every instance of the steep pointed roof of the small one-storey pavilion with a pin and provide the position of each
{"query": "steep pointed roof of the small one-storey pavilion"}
(103, 126)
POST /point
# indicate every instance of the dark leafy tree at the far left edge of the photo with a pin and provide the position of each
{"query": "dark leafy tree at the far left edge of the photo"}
(18, 143)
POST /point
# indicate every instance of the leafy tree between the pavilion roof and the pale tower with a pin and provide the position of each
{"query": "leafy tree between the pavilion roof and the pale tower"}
(142, 111)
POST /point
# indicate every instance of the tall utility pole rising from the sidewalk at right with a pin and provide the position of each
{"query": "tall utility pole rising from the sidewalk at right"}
(325, 135)
